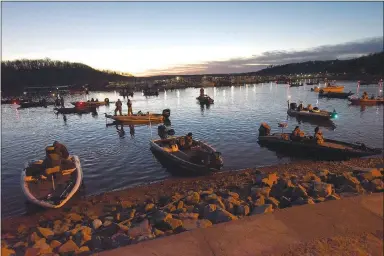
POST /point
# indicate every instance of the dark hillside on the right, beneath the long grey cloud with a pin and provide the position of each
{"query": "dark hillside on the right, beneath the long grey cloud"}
(372, 64)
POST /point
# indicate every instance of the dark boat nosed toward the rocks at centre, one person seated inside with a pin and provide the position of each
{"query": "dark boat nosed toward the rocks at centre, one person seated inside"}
(186, 161)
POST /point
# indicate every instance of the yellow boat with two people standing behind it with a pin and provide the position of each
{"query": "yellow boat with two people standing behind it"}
(141, 118)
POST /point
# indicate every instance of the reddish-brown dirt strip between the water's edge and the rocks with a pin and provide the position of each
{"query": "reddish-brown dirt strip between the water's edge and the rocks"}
(174, 184)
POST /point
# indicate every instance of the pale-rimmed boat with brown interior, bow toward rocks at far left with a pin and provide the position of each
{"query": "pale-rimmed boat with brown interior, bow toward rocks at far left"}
(51, 188)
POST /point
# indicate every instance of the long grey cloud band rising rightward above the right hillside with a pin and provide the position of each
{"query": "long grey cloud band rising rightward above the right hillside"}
(257, 62)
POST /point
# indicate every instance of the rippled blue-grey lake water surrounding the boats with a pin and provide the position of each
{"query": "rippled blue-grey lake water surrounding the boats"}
(111, 162)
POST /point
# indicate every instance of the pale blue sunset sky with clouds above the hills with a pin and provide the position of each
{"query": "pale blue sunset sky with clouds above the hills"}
(151, 38)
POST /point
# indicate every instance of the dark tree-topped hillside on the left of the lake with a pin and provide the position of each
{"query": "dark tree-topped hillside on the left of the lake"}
(15, 75)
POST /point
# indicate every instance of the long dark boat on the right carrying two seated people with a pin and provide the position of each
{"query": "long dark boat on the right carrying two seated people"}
(330, 149)
